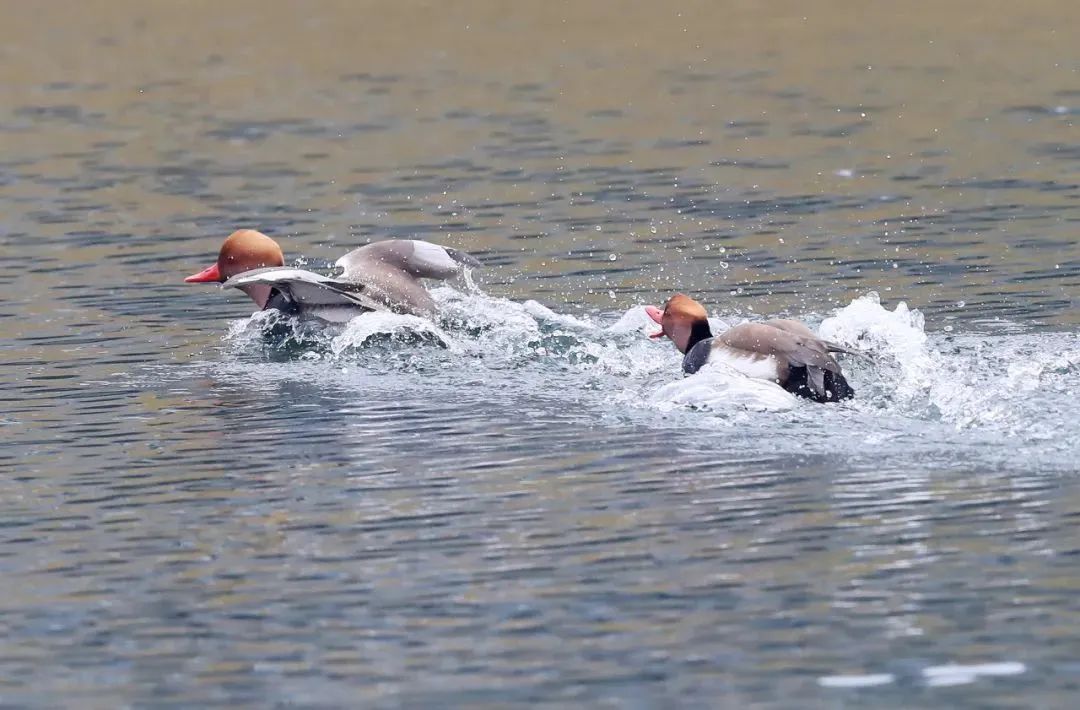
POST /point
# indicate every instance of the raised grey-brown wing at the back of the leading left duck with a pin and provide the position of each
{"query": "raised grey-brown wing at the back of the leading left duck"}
(391, 272)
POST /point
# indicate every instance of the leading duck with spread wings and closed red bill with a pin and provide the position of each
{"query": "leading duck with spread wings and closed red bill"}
(381, 276)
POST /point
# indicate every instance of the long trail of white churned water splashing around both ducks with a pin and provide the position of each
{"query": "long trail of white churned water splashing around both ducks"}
(915, 386)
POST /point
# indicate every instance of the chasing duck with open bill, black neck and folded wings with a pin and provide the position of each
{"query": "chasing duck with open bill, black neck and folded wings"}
(782, 351)
